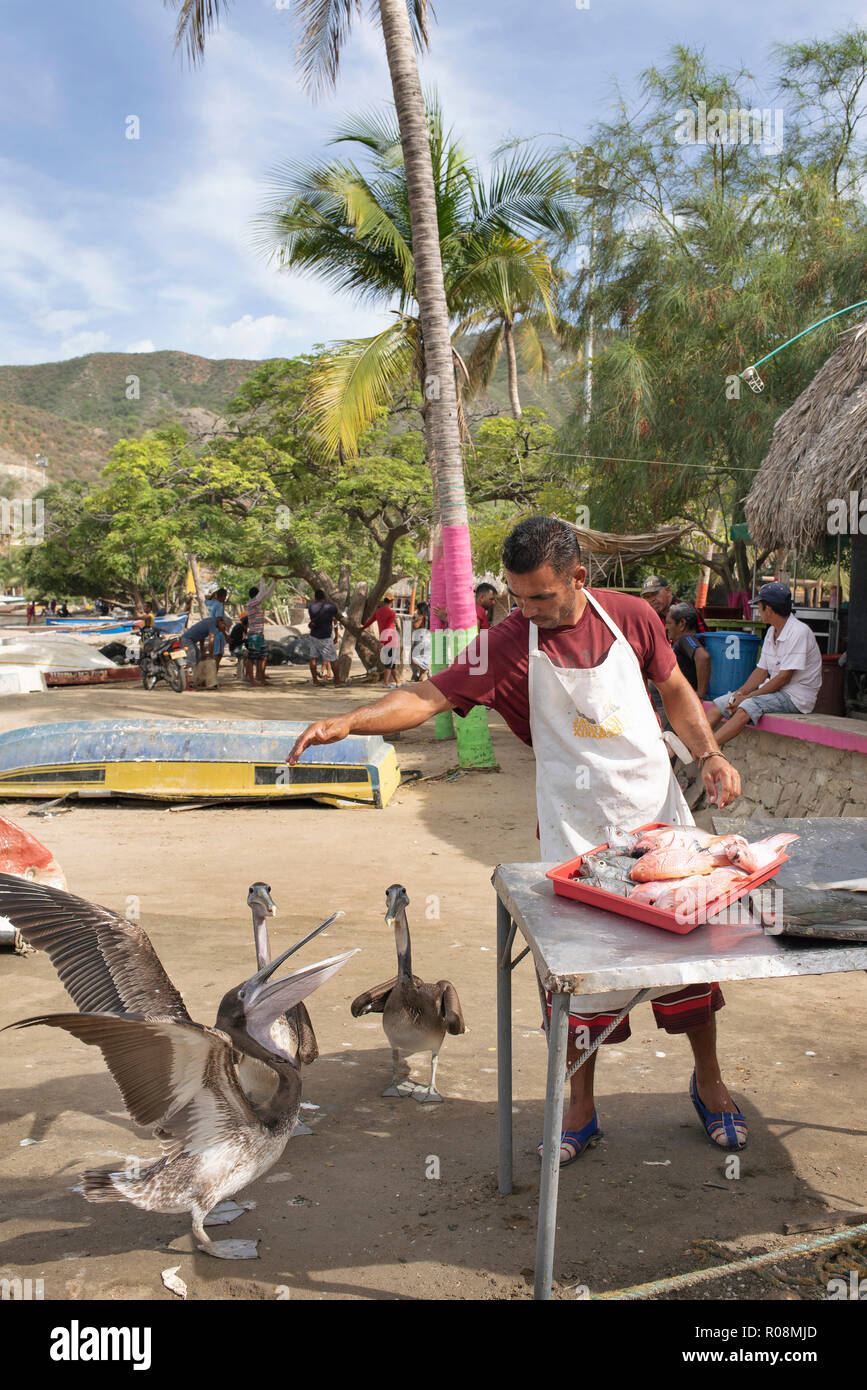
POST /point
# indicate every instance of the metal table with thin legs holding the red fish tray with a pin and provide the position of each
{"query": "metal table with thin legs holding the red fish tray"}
(580, 950)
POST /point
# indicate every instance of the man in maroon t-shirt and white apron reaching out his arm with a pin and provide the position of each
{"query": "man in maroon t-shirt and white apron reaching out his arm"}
(593, 655)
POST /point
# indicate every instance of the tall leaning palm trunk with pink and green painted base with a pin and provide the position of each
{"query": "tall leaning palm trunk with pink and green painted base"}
(441, 393)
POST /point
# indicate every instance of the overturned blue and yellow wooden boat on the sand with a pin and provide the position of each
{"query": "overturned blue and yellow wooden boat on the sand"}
(192, 760)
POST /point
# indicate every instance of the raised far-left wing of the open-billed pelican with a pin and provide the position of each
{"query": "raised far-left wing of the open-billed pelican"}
(106, 963)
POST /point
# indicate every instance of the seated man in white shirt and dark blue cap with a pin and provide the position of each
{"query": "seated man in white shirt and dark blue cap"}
(788, 678)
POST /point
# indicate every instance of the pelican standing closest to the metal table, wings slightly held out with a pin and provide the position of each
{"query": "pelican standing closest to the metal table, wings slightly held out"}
(416, 1017)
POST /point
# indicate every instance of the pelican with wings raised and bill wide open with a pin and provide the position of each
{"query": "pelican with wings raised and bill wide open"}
(195, 1085)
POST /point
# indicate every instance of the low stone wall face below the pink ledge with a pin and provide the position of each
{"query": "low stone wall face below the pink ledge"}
(794, 778)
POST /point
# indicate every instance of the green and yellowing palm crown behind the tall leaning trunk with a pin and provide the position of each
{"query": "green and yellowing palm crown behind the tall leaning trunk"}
(351, 226)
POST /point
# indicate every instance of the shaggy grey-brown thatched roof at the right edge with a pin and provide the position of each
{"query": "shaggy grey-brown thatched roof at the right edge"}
(818, 455)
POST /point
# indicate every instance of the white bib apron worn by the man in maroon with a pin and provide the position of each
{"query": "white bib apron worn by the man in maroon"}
(601, 761)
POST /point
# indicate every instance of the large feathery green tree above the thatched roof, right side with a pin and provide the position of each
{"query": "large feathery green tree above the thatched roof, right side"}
(705, 256)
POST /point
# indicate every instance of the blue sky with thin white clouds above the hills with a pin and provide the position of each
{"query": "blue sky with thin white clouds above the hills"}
(112, 245)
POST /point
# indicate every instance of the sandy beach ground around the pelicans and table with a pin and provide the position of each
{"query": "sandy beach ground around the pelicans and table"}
(354, 1210)
